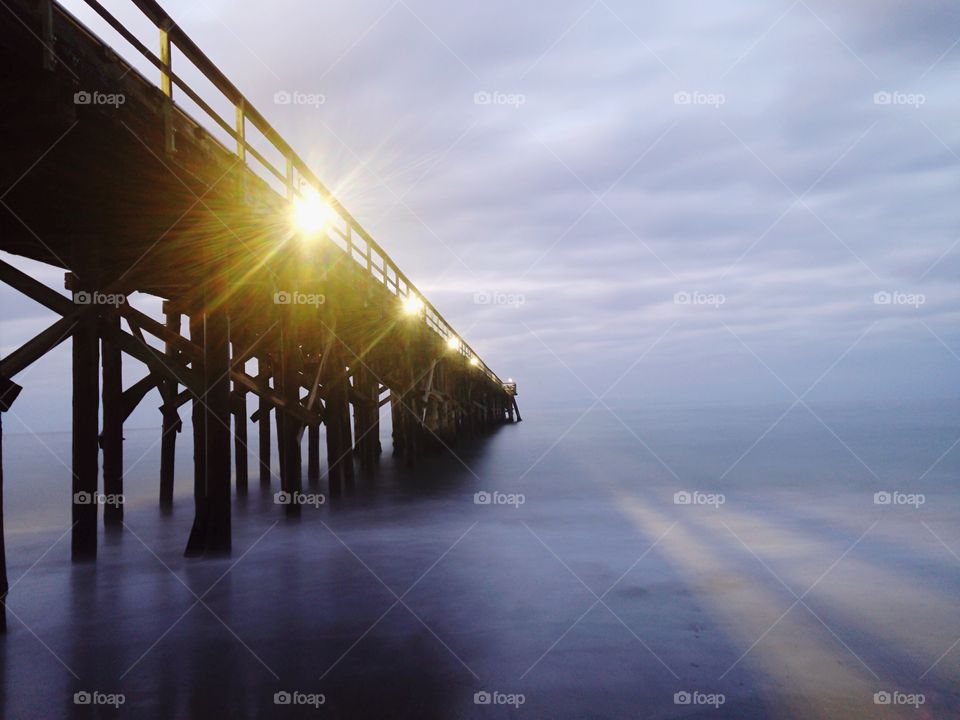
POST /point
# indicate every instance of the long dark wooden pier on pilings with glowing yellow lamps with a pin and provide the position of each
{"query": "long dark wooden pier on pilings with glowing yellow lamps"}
(106, 177)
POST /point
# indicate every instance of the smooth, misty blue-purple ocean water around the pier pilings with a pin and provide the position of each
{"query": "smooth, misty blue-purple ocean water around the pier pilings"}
(587, 587)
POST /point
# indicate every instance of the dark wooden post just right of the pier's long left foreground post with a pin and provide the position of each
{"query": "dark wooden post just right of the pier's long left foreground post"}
(113, 415)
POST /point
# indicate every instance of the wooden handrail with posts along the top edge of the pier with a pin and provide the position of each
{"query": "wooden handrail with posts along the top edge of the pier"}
(171, 34)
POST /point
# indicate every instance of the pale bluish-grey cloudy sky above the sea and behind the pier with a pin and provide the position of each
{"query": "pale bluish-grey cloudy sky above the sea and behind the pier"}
(644, 203)
